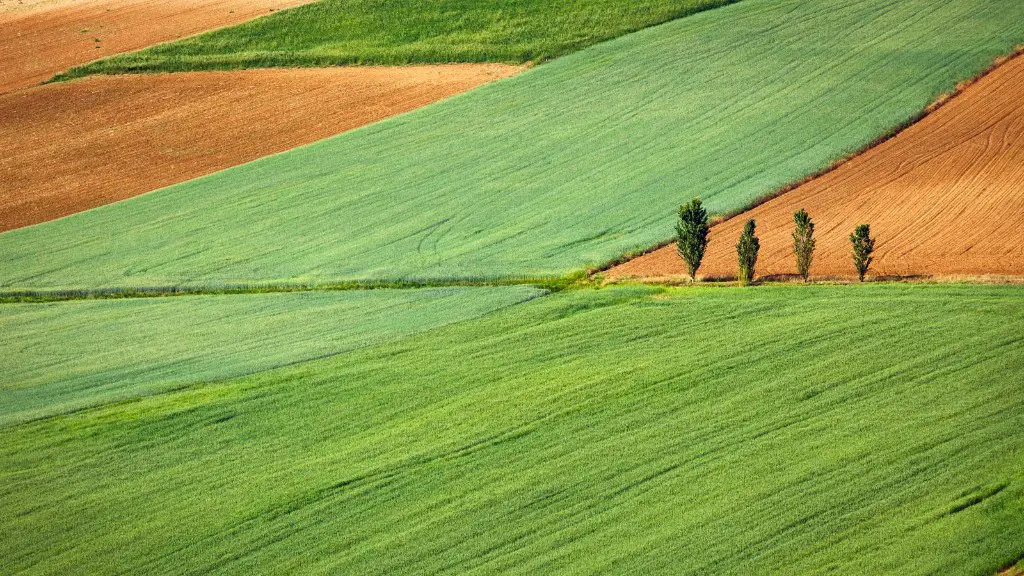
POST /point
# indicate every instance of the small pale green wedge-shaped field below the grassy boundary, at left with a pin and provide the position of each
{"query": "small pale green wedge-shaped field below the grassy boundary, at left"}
(61, 357)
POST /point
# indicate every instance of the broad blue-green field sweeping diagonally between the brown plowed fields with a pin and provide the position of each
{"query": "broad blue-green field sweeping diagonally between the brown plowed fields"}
(567, 167)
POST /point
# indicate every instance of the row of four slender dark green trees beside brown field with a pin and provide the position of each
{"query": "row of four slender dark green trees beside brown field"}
(694, 228)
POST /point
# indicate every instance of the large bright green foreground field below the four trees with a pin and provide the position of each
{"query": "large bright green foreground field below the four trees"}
(852, 430)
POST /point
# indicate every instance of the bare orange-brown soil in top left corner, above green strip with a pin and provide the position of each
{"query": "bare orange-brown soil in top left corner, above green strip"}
(42, 38)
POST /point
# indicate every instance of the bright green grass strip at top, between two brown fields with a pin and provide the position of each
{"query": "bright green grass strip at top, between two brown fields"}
(375, 32)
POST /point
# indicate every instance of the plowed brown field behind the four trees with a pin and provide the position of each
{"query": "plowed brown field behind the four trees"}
(944, 198)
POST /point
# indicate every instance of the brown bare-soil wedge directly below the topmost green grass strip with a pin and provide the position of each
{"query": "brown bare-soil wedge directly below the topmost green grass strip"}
(70, 147)
